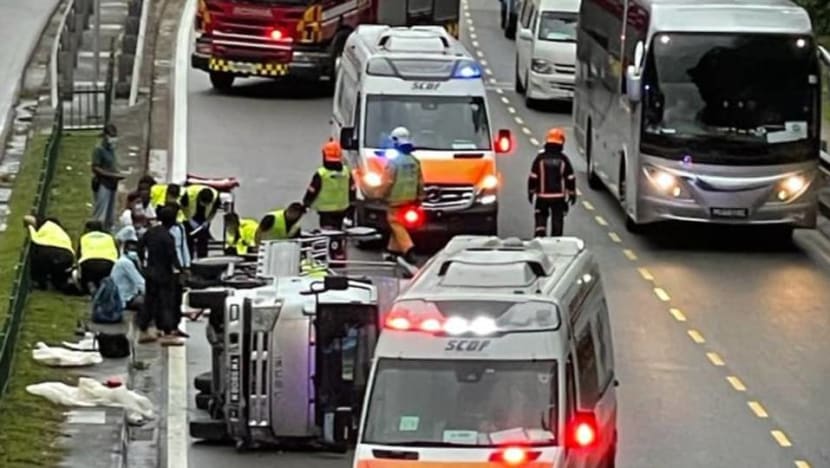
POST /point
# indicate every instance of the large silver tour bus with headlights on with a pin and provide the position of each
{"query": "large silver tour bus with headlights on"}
(700, 111)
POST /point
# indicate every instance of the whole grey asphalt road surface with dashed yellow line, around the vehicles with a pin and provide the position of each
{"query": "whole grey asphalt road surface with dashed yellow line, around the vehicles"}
(719, 334)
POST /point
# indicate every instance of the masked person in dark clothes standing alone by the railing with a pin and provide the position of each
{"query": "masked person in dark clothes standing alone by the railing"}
(105, 177)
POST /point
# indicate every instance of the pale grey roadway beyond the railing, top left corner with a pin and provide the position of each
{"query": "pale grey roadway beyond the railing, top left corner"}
(20, 26)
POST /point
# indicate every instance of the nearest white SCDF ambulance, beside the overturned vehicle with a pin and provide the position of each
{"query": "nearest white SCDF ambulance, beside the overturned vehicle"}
(498, 353)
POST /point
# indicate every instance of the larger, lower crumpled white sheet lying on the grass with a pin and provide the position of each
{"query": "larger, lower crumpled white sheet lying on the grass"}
(90, 392)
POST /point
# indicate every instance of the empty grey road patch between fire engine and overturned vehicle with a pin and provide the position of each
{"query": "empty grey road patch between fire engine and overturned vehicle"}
(266, 133)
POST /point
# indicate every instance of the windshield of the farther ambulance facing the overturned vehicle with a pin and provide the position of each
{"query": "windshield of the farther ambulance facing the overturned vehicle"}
(440, 123)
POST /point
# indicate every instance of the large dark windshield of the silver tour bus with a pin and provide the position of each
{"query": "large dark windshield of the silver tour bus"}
(732, 99)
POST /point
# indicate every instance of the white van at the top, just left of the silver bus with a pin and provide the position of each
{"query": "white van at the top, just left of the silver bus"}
(546, 50)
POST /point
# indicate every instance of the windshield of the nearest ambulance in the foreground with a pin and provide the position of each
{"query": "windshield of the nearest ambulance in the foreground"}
(467, 403)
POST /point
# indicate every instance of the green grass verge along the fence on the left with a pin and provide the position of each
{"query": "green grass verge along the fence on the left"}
(30, 425)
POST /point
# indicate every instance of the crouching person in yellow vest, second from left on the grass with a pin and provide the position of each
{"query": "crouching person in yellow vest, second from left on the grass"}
(97, 252)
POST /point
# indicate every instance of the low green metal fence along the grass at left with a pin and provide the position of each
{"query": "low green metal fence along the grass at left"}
(22, 282)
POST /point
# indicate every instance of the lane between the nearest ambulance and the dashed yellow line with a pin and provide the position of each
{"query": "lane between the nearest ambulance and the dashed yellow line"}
(671, 401)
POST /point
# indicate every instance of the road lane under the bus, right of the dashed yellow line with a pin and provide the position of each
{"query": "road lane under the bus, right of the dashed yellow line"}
(763, 305)
